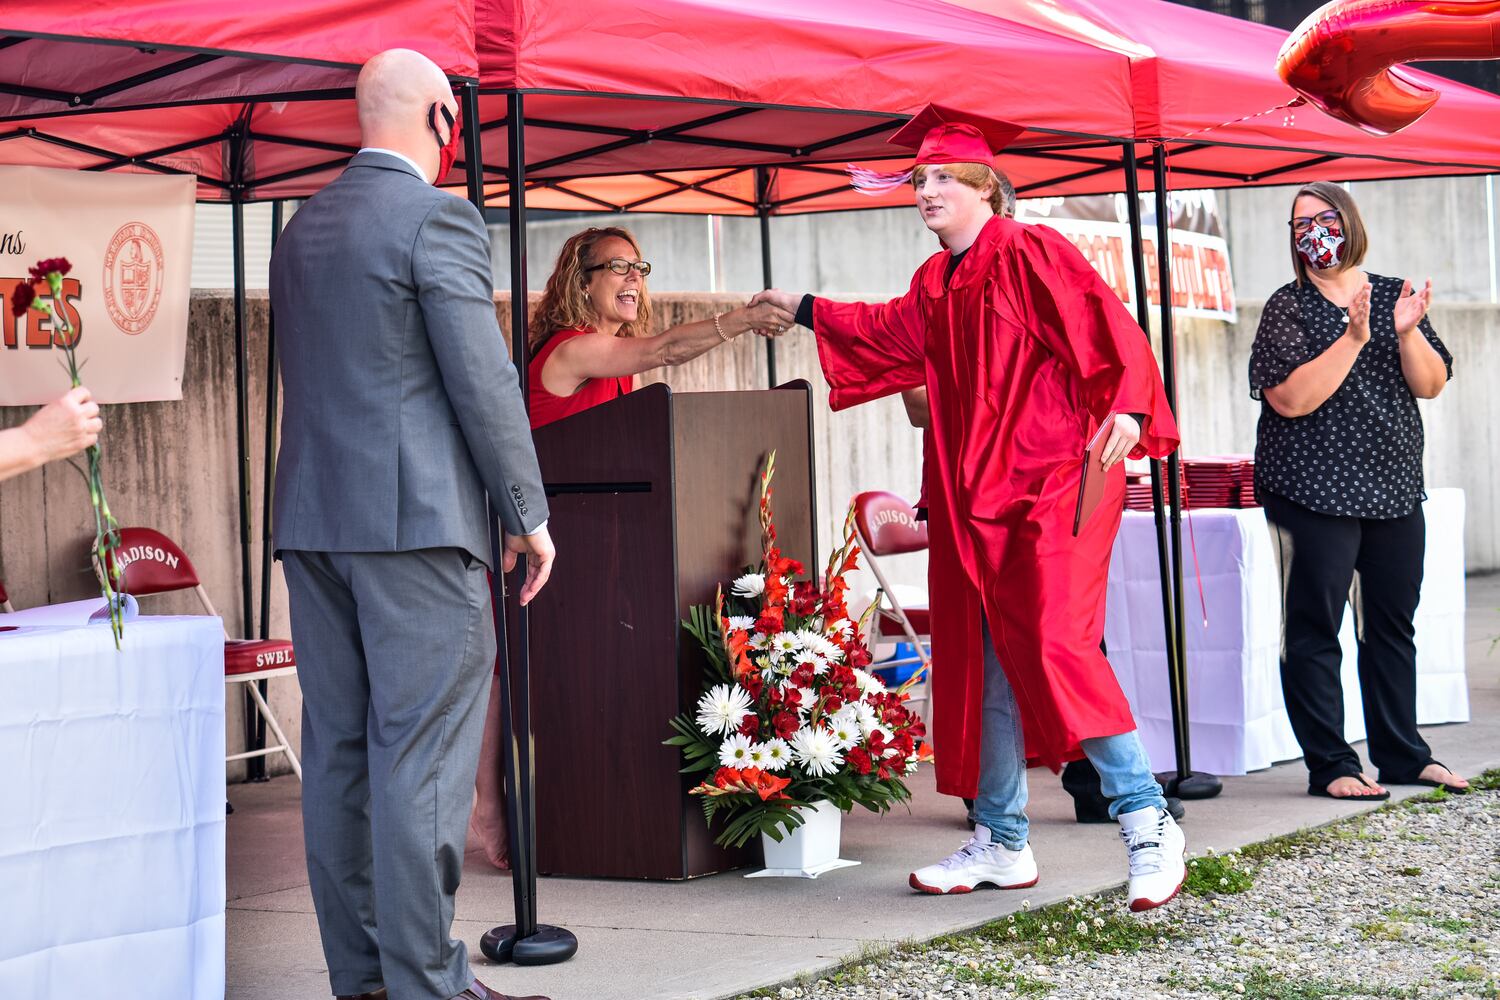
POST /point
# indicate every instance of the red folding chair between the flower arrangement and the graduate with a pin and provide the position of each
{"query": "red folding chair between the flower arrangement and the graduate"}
(887, 525)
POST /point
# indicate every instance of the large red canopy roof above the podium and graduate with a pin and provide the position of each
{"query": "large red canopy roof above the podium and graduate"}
(1177, 74)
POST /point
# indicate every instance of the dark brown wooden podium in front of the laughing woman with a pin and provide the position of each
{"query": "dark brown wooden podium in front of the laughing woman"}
(653, 503)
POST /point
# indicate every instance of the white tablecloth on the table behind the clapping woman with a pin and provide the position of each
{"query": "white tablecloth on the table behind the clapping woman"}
(1238, 717)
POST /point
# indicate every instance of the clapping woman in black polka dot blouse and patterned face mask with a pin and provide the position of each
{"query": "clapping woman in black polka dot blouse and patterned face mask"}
(1339, 364)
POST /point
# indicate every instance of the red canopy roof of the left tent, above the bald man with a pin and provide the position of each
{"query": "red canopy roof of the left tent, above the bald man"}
(164, 85)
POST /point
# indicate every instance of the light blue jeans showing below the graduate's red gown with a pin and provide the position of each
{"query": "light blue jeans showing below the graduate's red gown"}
(1001, 806)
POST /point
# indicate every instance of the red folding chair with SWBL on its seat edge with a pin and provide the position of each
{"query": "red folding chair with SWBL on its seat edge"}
(155, 564)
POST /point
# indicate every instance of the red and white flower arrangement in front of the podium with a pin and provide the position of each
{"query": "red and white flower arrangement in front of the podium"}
(791, 716)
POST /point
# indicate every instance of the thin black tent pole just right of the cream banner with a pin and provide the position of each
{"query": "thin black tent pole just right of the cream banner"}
(254, 729)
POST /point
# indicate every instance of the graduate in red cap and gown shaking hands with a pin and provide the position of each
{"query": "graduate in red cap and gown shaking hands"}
(1025, 355)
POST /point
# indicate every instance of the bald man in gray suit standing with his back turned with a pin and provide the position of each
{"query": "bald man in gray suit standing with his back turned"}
(403, 412)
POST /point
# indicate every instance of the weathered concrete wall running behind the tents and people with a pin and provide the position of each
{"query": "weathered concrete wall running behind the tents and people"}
(172, 466)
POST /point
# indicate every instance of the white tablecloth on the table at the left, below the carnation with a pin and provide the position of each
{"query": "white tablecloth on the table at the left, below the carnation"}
(112, 812)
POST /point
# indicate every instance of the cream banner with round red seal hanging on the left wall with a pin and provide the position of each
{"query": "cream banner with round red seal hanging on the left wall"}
(130, 242)
